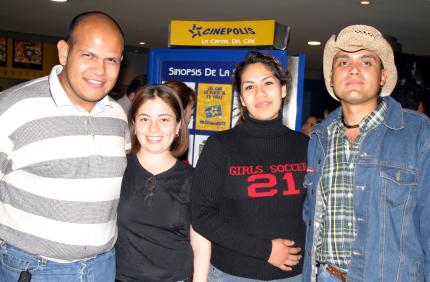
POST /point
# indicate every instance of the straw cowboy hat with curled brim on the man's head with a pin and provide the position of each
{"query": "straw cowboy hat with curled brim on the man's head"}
(360, 37)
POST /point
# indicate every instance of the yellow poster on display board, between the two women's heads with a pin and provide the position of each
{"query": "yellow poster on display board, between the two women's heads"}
(214, 106)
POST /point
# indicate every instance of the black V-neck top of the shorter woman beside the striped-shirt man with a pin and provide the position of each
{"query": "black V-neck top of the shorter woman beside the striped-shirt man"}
(153, 224)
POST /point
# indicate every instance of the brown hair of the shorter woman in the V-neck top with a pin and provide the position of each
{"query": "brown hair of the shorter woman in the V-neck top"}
(169, 96)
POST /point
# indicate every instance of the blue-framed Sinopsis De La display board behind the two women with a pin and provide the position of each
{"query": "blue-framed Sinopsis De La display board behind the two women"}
(209, 72)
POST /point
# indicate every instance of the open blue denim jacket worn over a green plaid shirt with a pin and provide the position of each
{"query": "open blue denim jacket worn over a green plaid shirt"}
(391, 199)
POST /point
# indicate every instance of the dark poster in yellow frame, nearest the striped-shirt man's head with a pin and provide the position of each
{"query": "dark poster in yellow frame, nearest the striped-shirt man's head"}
(27, 54)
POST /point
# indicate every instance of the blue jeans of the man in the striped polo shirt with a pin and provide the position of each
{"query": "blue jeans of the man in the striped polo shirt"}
(97, 269)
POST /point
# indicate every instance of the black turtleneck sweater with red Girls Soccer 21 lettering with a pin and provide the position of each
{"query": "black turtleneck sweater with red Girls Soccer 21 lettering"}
(247, 190)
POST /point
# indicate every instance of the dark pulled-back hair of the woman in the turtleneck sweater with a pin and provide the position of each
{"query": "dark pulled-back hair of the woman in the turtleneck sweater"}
(269, 62)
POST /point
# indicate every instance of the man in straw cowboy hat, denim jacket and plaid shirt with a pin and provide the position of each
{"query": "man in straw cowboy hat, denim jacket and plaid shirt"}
(368, 180)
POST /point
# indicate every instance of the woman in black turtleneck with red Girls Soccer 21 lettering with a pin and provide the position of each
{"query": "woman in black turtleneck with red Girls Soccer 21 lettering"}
(247, 193)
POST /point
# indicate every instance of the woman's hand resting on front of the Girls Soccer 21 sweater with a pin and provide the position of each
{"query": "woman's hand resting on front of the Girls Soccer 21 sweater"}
(284, 255)
